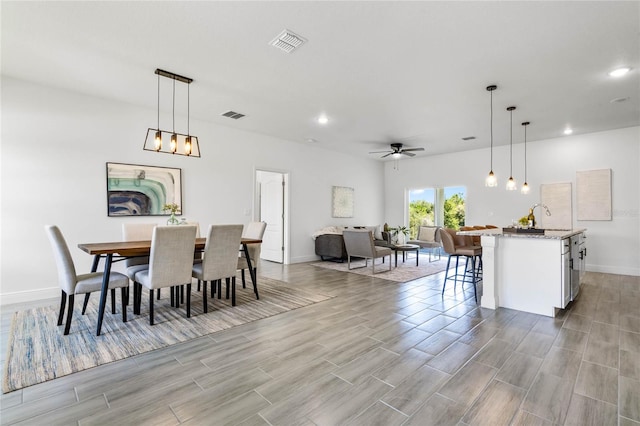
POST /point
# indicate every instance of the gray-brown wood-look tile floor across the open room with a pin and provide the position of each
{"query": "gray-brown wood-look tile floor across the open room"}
(379, 353)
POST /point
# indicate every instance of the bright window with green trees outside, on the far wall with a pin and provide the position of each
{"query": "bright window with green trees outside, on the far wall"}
(436, 206)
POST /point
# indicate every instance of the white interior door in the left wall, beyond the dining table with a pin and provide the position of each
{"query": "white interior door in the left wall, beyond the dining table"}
(272, 212)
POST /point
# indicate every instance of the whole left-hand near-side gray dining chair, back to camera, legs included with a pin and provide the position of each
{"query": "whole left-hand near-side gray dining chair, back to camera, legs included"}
(170, 263)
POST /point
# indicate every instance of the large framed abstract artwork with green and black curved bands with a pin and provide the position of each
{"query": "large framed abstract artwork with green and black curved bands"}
(135, 190)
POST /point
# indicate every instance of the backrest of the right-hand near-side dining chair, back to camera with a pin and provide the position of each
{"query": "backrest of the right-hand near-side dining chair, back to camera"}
(220, 256)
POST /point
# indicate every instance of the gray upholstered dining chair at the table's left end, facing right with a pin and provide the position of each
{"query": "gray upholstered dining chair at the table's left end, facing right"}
(72, 283)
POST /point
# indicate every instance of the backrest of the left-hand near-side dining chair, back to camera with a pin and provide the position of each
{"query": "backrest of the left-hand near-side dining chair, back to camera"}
(171, 257)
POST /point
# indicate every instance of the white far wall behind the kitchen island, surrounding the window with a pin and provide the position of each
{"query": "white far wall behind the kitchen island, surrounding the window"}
(613, 246)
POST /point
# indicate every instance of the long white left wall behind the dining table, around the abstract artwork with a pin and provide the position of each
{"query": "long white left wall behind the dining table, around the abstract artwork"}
(54, 148)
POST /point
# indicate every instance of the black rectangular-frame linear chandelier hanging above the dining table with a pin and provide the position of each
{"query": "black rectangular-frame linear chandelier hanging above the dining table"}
(179, 143)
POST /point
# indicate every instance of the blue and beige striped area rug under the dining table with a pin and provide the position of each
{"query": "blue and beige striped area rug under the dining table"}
(38, 351)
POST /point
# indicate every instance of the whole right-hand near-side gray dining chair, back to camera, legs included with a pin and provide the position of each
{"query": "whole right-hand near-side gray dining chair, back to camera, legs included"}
(219, 260)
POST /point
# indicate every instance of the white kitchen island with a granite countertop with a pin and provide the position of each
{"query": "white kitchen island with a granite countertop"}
(528, 272)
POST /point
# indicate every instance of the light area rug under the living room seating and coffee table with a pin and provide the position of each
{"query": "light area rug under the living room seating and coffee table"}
(406, 271)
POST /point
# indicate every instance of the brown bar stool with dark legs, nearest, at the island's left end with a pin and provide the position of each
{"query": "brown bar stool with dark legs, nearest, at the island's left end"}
(455, 246)
